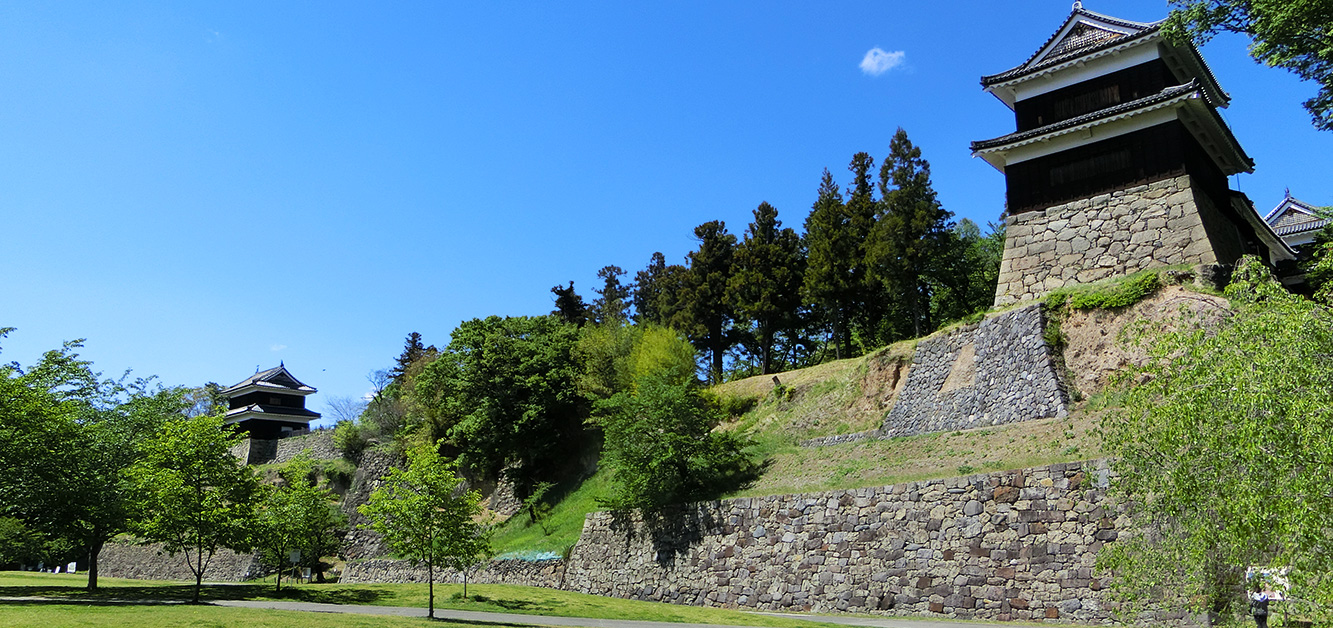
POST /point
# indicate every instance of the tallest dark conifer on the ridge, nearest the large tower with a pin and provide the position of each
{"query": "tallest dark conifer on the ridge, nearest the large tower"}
(912, 235)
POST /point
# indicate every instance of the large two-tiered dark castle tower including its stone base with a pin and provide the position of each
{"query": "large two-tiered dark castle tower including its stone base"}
(1119, 162)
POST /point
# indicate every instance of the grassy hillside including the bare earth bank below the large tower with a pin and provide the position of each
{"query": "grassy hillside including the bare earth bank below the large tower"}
(854, 395)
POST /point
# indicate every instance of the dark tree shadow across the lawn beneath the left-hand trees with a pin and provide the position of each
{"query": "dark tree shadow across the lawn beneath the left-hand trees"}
(186, 593)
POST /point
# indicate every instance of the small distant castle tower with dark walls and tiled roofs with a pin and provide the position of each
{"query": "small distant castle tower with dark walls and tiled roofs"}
(270, 405)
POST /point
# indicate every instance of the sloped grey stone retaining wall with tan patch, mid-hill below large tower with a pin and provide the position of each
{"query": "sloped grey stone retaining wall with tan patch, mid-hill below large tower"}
(995, 373)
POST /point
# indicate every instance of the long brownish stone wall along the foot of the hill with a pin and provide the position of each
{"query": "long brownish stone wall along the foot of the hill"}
(1008, 546)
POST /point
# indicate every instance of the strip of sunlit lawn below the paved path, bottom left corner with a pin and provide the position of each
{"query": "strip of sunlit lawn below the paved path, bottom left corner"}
(41, 615)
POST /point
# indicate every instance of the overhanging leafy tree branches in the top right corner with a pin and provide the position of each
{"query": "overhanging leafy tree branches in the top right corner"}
(1284, 34)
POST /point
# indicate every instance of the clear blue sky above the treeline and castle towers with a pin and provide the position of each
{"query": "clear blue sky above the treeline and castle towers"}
(205, 189)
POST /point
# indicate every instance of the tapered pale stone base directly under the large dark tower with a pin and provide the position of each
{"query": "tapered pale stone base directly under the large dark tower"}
(1107, 235)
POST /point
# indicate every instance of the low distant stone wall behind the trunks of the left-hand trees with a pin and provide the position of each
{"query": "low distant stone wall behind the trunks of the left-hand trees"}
(153, 563)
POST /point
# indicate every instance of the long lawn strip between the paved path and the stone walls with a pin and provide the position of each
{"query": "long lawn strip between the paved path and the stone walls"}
(486, 598)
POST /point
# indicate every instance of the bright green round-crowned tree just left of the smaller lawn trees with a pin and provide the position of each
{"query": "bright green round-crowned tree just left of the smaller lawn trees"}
(195, 497)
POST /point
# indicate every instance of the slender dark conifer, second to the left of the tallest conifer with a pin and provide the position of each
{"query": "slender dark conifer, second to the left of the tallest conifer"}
(831, 257)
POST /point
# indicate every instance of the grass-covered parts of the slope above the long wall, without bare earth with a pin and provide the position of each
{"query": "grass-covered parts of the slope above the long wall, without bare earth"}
(831, 399)
